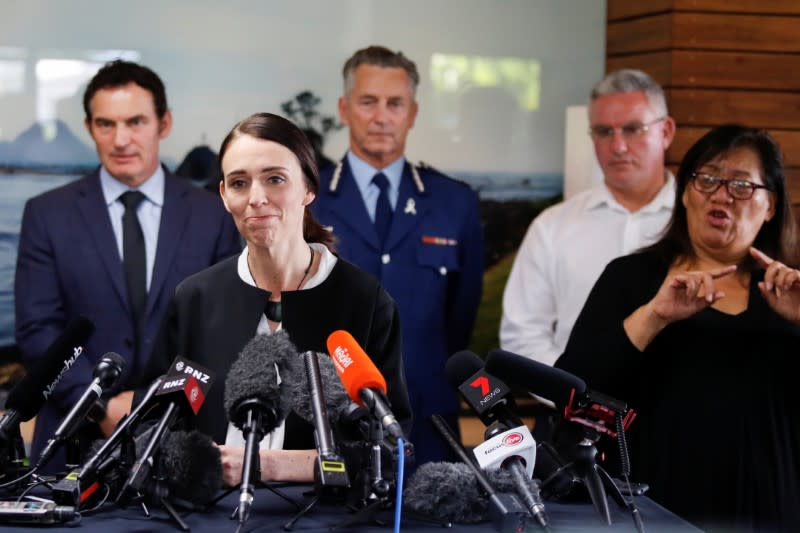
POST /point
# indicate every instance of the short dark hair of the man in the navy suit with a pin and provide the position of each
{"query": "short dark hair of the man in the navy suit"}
(120, 72)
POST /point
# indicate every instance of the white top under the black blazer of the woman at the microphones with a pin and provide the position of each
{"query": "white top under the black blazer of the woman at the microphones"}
(274, 439)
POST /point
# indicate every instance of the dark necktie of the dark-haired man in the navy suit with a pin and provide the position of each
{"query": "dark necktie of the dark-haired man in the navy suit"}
(133, 257)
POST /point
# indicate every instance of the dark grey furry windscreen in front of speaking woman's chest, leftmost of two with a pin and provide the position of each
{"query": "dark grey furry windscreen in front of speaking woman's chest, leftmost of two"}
(254, 374)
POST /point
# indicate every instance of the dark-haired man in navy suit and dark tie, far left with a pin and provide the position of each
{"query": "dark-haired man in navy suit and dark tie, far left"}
(113, 245)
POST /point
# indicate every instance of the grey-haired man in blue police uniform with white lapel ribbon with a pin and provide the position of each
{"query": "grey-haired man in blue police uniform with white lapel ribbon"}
(413, 228)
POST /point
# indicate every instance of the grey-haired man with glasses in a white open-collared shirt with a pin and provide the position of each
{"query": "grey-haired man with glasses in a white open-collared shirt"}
(568, 245)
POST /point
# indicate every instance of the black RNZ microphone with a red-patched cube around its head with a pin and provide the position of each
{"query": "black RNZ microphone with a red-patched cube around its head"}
(184, 388)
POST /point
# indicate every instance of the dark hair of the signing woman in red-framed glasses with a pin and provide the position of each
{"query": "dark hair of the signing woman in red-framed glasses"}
(776, 237)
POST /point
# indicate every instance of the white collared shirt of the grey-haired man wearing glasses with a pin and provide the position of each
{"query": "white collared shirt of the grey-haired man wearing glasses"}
(563, 253)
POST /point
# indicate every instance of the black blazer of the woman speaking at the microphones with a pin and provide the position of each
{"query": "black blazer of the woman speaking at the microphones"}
(214, 314)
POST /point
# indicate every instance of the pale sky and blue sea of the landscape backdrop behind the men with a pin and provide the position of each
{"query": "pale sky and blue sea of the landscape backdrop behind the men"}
(497, 78)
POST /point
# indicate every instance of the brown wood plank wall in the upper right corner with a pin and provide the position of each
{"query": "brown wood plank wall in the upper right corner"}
(719, 61)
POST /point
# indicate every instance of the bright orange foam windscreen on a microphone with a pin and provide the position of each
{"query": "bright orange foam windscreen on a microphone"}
(355, 368)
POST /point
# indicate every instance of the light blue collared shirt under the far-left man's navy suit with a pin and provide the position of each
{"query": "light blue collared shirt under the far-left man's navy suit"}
(148, 212)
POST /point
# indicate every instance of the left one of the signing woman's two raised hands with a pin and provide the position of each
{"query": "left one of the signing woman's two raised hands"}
(685, 293)
